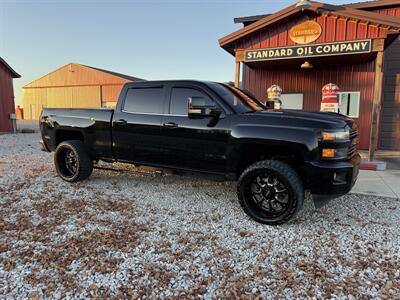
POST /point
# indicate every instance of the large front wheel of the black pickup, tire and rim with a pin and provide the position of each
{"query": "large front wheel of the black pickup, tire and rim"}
(270, 192)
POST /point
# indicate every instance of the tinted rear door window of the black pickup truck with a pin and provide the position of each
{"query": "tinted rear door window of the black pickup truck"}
(144, 100)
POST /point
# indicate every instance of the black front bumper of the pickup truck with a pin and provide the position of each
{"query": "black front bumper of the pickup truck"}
(329, 180)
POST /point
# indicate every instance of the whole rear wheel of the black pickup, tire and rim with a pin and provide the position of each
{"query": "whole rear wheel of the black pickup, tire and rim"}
(72, 162)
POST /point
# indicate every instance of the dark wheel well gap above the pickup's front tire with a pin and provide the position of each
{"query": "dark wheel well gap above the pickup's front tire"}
(253, 153)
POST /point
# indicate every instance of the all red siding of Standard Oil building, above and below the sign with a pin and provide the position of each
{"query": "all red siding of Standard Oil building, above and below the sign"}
(352, 76)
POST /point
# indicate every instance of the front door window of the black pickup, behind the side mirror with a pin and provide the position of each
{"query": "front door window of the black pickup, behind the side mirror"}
(179, 100)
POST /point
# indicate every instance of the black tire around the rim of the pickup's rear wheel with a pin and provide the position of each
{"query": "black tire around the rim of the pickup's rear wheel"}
(84, 164)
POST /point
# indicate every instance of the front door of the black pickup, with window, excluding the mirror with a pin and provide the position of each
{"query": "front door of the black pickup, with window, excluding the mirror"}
(194, 143)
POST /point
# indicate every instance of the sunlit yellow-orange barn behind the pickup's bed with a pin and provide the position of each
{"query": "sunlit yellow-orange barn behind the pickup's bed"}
(73, 86)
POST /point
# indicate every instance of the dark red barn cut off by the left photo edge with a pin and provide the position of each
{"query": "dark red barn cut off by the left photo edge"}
(7, 107)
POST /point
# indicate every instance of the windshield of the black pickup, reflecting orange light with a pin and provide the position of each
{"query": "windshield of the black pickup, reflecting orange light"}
(241, 101)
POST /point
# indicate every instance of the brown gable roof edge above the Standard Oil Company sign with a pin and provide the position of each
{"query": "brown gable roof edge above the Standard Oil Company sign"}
(391, 23)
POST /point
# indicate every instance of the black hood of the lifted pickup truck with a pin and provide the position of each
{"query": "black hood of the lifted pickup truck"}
(302, 118)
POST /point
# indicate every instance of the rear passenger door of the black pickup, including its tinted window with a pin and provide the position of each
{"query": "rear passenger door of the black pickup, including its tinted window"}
(136, 127)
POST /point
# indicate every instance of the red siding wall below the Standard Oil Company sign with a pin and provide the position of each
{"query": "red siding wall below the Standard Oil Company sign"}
(359, 77)
